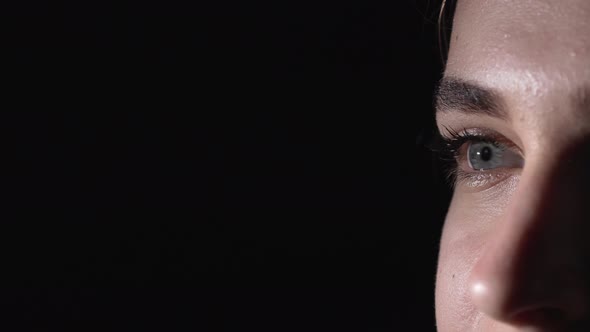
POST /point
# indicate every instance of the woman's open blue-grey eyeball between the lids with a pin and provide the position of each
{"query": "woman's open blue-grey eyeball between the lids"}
(483, 156)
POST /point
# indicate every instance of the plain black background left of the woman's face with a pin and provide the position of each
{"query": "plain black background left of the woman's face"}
(219, 166)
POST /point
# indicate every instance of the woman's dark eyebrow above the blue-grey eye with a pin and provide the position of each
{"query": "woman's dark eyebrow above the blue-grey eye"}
(456, 95)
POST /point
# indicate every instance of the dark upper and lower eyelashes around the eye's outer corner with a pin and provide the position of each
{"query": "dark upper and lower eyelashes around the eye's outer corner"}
(448, 148)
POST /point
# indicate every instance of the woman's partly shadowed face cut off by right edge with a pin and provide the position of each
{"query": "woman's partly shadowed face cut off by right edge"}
(515, 108)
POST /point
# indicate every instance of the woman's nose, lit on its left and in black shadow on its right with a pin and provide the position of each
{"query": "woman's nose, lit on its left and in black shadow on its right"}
(533, 269)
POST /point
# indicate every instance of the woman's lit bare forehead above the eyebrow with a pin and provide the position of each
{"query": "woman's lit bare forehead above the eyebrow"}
(532, 47)
